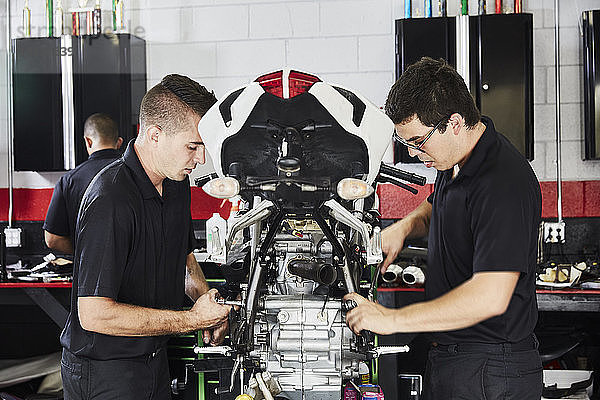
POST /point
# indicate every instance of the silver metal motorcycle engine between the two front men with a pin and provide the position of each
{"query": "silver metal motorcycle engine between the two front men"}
(301, 337)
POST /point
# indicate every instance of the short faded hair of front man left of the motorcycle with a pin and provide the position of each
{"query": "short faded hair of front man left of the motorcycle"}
(168, 103)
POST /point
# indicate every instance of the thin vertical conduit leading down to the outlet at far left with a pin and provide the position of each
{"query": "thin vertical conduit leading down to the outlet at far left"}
(9, 114)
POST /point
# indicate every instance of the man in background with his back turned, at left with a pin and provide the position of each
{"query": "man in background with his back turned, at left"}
(102, 141)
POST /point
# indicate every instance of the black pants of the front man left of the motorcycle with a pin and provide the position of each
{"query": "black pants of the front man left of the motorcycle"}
(124, 379)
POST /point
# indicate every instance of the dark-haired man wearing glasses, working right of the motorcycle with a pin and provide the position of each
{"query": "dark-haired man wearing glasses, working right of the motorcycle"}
(482, 224)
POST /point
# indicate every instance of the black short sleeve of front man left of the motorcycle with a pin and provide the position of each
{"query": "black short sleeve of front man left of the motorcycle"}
(104, 237)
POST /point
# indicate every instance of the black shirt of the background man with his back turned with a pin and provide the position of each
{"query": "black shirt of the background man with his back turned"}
(68, 191)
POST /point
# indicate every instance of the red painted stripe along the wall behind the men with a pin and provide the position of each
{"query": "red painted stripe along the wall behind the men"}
(580, 199)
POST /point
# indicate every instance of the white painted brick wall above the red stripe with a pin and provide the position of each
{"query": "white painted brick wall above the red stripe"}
(225, 43)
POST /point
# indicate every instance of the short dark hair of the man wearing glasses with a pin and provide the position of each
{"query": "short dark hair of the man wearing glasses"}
(432, 90)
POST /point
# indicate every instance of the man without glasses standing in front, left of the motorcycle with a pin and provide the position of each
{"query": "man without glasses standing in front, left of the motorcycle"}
(134, 258)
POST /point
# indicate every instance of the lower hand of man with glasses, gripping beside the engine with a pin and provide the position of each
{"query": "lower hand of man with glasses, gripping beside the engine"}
(369, 316)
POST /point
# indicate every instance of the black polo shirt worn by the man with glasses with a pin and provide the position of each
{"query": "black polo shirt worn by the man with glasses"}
(486, 219)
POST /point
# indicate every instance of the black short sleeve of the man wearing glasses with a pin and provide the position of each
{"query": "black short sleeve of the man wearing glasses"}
(501, 219)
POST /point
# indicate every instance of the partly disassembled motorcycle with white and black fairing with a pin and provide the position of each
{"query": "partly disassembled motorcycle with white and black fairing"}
(292, 327)
